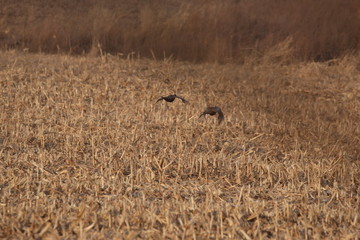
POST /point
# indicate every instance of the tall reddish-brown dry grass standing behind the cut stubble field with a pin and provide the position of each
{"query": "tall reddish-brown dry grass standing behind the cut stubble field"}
(192, 30)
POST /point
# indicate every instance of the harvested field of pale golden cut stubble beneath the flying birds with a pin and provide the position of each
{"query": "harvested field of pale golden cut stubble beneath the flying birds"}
(85, 153)
